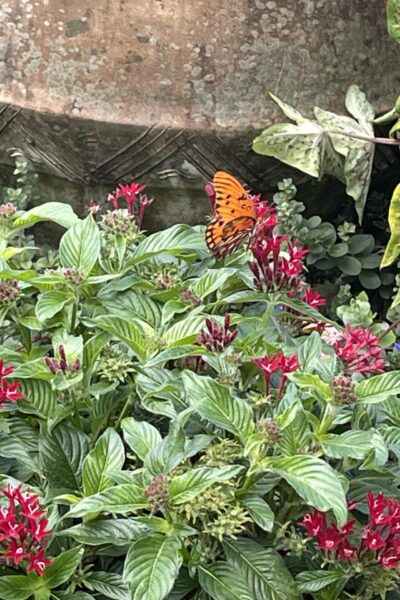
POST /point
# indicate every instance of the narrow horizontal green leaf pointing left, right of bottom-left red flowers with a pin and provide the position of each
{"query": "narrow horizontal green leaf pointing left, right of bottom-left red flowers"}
(116, 532)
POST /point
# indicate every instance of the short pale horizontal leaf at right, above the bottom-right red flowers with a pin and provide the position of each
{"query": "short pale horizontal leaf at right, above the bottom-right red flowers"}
(355, 444)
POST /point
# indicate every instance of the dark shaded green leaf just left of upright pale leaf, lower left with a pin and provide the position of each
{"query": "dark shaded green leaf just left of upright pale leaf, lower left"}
(61, 454)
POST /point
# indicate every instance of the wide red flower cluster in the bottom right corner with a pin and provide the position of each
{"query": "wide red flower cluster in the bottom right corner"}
(376, 544)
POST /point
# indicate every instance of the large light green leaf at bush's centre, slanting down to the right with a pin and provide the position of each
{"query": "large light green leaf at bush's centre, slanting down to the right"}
(215, 403)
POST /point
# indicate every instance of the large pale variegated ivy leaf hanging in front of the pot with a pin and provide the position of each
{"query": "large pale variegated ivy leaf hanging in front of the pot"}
(330, 145)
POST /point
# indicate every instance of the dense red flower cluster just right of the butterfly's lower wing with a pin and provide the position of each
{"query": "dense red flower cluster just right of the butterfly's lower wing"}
(278, 262)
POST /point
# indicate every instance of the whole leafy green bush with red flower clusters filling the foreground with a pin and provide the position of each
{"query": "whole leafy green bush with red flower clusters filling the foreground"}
(172, 427)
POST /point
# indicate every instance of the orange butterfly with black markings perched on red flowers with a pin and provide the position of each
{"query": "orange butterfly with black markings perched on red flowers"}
(234, 215)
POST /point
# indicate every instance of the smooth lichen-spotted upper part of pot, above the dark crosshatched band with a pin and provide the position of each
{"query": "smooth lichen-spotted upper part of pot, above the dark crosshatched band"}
(186, 63)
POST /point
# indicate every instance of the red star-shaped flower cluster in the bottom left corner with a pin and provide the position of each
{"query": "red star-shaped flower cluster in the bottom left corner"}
(23, 531)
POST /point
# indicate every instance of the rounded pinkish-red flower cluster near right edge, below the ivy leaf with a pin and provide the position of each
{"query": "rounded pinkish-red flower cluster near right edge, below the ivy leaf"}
(359, 349)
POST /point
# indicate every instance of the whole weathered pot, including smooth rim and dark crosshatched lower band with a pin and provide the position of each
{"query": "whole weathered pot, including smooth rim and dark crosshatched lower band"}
(170, 90)
